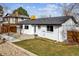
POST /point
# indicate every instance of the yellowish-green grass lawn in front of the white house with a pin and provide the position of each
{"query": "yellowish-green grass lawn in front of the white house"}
(46, 47)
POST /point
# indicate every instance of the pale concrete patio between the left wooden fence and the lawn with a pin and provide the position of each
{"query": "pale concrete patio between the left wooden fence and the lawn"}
(13, 37)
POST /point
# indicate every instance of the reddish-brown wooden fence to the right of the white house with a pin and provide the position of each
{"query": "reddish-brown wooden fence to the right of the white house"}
(73, 36)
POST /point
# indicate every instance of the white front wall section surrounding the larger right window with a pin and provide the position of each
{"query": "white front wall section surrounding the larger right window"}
(42, 32)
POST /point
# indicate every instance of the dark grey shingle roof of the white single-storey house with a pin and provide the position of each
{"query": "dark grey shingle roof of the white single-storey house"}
(49, 20)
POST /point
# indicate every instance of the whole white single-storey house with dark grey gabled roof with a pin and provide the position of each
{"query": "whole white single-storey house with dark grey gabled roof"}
(54, 28)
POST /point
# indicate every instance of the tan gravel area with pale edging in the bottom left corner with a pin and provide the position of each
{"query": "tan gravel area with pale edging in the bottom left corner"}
(7, 48)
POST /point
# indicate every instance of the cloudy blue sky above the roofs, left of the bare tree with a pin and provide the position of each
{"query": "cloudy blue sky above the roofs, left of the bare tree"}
(37, 9)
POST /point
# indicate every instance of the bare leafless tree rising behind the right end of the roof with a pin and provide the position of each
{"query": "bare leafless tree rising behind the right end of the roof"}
(71, 9)
